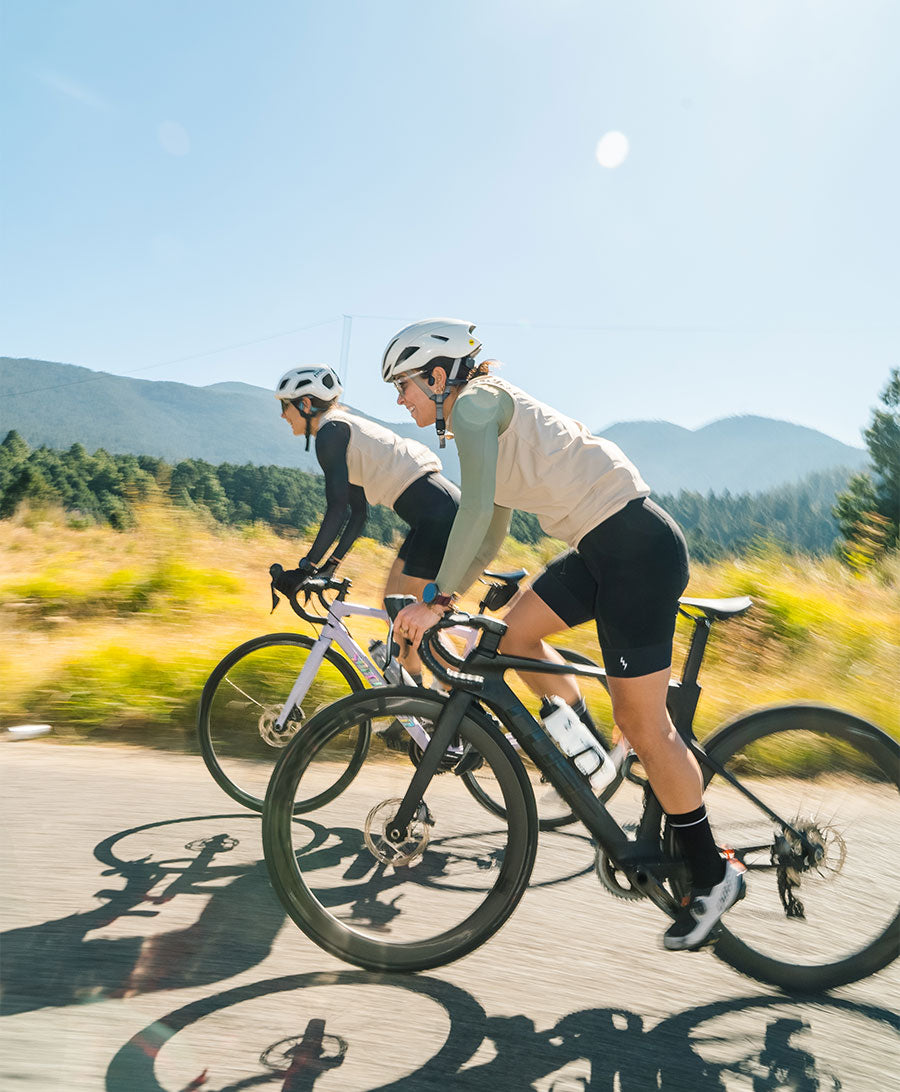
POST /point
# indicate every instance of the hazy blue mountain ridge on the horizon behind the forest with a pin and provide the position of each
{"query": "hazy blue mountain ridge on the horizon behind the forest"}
(60, 405)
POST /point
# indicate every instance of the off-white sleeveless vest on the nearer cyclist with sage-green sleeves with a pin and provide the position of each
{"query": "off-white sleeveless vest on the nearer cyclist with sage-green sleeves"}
(553, 467)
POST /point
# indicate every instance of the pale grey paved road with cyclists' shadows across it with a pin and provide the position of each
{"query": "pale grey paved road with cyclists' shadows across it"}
(144, 952)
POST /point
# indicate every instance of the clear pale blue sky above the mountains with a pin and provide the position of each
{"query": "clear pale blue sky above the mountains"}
(199, 192)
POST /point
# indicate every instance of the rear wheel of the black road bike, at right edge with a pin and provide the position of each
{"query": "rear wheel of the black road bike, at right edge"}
(826, 896)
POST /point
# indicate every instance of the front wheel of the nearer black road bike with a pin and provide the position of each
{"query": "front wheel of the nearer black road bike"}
(406, 904)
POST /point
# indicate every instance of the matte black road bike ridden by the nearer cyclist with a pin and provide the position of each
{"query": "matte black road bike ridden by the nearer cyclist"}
(402, 872)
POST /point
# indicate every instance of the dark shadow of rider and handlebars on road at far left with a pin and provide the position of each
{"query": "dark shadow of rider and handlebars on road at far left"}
(58, 963)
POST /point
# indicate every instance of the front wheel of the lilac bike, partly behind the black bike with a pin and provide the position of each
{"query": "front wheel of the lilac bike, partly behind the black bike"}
(244, 696)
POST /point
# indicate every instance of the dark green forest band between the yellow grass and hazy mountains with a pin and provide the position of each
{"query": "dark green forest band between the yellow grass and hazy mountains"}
(103, 489)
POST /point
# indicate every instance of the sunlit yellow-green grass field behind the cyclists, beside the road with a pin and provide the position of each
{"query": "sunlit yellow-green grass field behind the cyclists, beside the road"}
(112, 635)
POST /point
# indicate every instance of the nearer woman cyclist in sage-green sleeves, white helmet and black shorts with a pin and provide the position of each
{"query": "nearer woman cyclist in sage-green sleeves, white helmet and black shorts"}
(626, 568)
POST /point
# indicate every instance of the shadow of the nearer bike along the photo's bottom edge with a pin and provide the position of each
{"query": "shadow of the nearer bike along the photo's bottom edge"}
(763, 1044)
